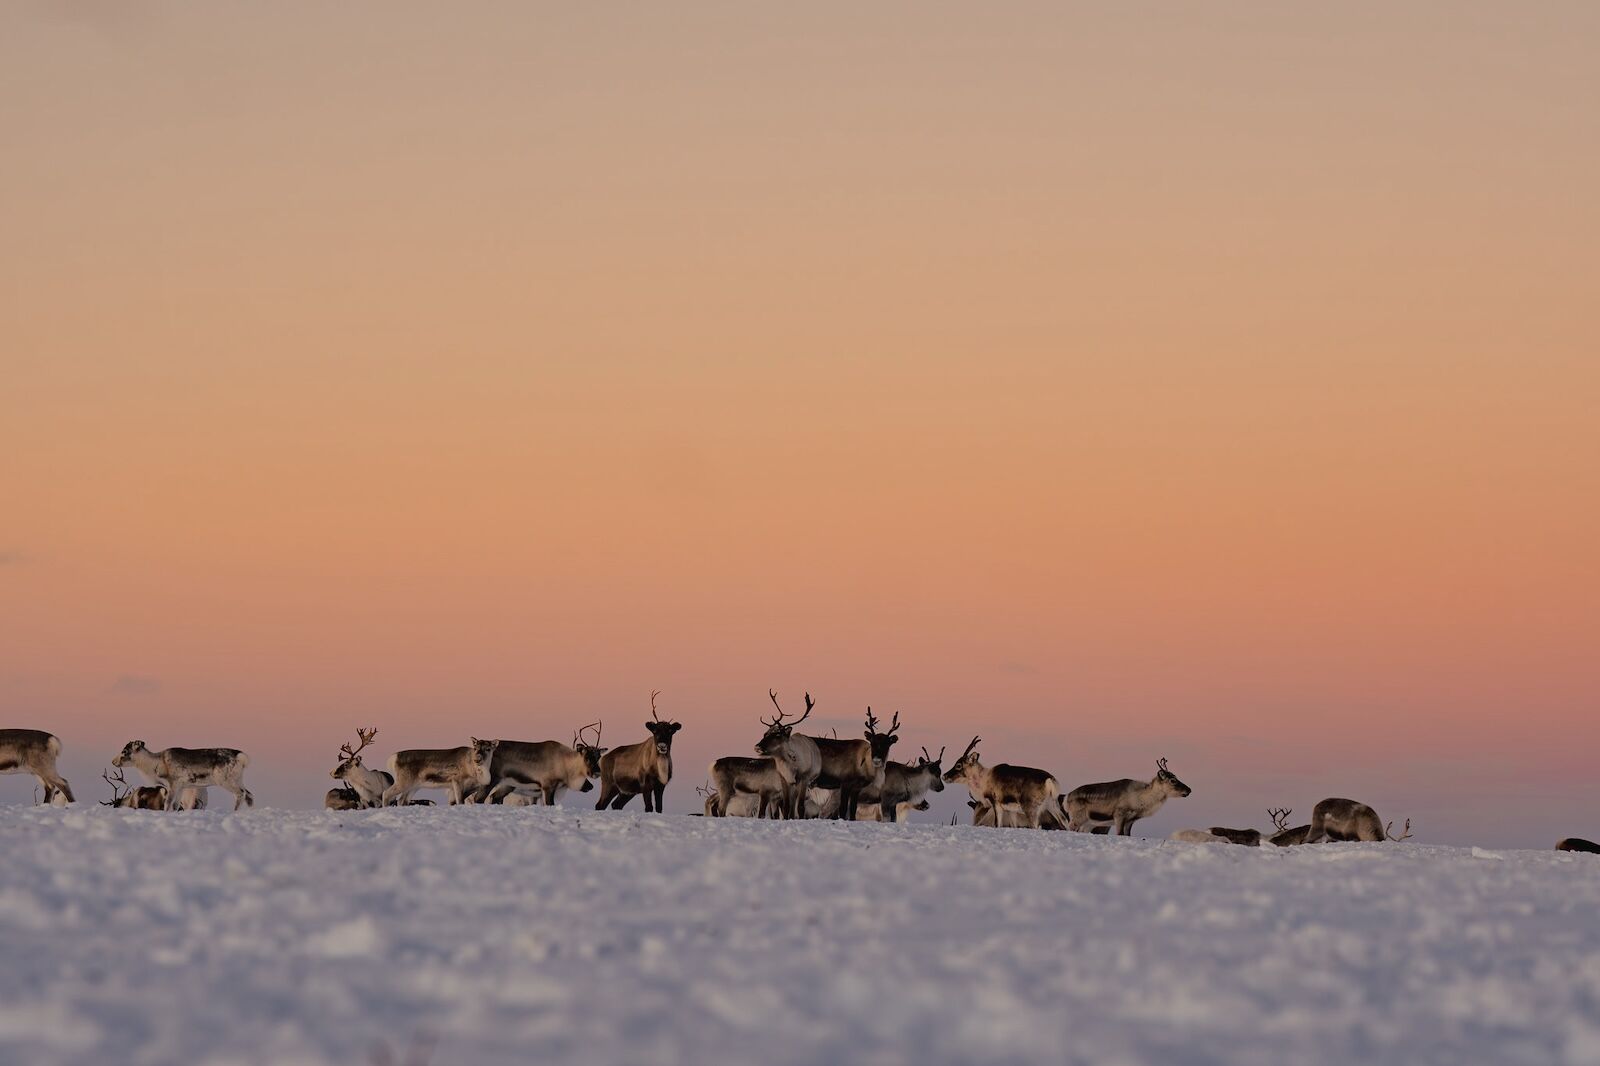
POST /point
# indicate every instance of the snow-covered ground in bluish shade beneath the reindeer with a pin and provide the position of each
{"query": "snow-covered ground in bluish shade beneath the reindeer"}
(566, 937)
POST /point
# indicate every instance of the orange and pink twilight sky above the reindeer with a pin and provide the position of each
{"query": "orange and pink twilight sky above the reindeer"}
(1108, 382)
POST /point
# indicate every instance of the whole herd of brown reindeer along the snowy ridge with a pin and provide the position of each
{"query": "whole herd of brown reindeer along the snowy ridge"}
(793, 775)
